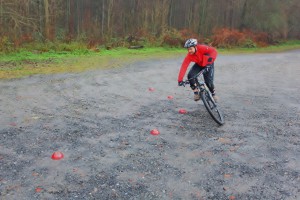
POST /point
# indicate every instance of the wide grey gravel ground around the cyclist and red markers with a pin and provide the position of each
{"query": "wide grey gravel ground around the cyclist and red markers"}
(101, 121)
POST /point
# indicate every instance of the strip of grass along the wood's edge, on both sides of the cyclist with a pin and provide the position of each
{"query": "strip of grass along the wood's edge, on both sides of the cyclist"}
(26, 63)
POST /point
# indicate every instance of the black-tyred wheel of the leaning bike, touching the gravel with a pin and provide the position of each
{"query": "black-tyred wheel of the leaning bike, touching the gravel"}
(211, 107)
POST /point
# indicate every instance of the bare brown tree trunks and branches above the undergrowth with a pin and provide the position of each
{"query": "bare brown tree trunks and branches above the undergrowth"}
(104, 19)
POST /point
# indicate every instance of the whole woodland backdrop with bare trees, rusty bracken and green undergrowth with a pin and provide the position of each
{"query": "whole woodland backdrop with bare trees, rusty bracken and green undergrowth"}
(83, 26)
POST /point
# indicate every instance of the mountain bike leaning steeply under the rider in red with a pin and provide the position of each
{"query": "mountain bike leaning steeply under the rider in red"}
(206, 97)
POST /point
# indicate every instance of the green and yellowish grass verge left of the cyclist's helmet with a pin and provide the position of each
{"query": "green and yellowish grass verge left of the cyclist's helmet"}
(26, 63)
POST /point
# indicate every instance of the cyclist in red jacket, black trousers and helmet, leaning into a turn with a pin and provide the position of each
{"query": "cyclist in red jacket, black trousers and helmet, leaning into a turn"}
(203, 56)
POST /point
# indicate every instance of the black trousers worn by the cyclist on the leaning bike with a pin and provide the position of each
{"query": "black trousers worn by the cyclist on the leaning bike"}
(208, 76)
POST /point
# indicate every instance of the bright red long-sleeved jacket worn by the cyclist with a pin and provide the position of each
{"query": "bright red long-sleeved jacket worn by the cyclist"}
(201, 56)
